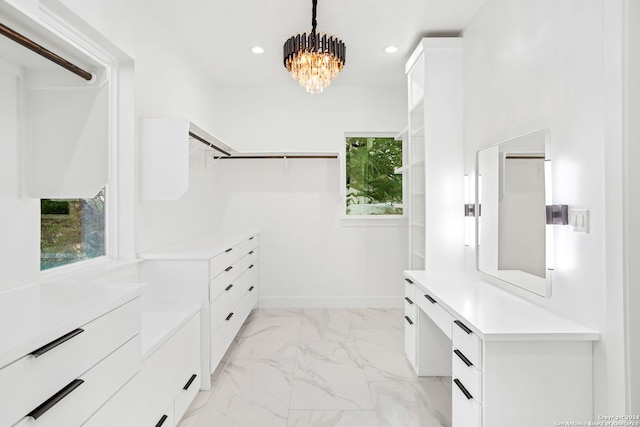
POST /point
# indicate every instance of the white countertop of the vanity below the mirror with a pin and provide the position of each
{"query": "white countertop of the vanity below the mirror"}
(495, 314)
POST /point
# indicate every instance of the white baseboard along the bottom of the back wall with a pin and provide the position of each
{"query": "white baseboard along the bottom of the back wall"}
(331, 302)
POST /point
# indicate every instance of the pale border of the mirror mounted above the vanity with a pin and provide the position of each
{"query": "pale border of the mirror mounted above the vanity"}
(528, 282)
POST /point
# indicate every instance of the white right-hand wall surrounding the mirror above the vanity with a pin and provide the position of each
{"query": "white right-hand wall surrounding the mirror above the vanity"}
(535, 64)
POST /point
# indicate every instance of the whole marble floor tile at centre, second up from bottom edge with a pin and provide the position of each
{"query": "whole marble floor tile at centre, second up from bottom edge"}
(329, 376)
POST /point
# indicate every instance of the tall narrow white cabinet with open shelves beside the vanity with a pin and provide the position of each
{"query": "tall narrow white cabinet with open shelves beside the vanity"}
(435, 161)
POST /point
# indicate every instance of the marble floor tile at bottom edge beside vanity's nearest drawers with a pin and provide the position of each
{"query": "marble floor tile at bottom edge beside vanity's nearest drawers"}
(424, 403)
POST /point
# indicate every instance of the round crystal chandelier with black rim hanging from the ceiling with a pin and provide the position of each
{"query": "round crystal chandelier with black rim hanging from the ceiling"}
(315, 59)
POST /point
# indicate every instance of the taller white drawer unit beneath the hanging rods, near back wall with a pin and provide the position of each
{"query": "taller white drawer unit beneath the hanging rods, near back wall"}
(218, 271)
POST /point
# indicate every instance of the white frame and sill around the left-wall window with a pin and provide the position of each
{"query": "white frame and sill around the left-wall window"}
(120, 185)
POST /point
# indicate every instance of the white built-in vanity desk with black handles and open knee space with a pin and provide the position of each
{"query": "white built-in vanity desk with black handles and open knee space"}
(512, 362)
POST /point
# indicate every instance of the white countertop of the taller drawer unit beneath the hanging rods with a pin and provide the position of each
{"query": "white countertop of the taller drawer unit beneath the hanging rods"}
(201, 247)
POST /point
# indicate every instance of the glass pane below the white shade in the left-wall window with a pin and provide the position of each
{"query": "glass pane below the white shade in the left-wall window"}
(71, 230)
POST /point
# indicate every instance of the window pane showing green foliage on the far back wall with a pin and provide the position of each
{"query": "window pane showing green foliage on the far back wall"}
(372, 185)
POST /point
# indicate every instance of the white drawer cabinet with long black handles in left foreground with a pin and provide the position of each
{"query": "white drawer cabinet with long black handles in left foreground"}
(84, 345)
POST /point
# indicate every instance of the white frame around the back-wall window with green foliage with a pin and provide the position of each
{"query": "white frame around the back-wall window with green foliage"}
(370, 220)
